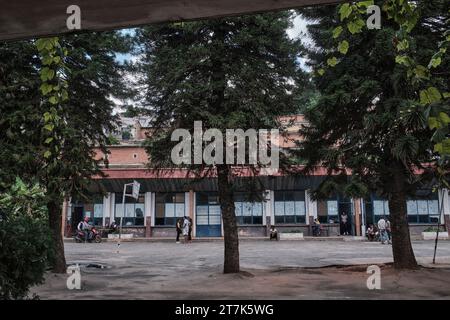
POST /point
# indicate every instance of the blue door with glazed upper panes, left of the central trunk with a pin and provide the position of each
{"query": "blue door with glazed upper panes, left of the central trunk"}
(208, 215)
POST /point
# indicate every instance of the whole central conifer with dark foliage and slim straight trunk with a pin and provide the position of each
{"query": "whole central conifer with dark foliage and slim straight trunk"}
(228, 73)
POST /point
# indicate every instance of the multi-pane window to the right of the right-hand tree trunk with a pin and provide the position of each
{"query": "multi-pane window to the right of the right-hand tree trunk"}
(422, 211)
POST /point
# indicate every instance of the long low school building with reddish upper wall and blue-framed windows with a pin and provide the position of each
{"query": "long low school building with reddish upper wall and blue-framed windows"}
(165, 196)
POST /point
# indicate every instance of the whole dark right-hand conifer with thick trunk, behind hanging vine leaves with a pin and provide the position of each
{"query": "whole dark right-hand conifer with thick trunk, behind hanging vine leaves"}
(368, 119)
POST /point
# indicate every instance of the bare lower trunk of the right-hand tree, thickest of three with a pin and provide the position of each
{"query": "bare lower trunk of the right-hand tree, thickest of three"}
(401, 242)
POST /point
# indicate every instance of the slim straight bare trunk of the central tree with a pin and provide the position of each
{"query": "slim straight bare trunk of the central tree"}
(231, 238)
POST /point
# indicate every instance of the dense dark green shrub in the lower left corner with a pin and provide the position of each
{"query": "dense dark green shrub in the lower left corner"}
(25, 242)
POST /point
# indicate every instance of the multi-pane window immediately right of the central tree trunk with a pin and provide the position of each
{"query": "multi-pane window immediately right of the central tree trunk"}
(247, 212)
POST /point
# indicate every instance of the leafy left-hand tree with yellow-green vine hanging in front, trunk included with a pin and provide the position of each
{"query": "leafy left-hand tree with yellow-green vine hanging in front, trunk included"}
(53, 137)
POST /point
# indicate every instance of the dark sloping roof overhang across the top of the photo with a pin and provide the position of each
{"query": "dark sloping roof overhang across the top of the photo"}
(21, 19)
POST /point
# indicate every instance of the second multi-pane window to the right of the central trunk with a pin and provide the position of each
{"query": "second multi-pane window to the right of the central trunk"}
(290, 207)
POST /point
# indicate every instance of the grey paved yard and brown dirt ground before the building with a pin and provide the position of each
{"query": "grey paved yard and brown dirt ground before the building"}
(271, 270)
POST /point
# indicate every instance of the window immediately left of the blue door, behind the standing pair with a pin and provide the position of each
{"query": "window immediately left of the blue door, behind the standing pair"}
(169, 207)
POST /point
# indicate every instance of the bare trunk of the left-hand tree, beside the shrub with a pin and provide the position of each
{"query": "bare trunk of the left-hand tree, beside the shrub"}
(54, 215)
